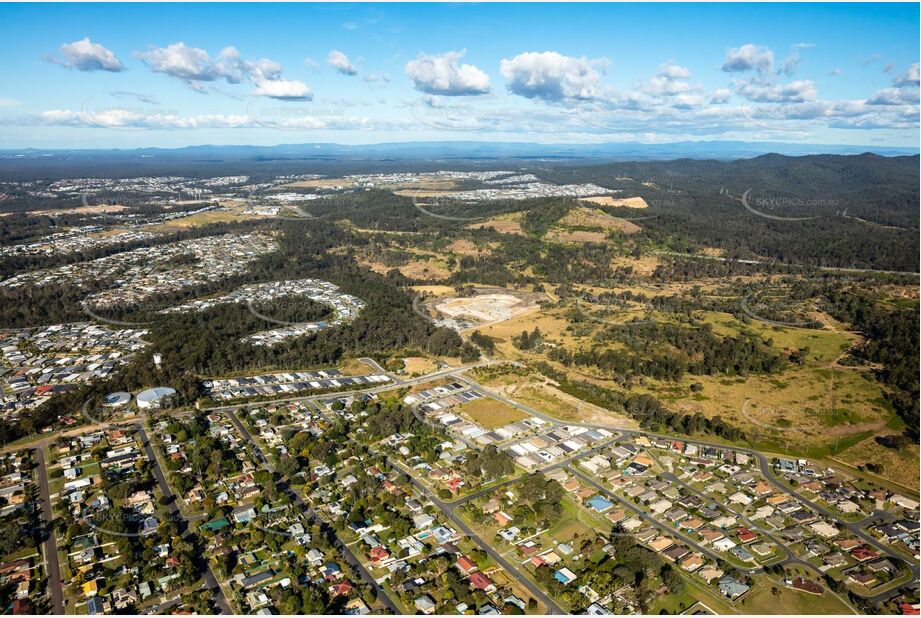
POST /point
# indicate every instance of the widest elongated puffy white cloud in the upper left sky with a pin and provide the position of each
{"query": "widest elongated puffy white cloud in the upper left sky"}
(193, 65)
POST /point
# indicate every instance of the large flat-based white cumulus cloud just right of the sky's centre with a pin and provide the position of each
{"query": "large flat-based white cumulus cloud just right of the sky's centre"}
(551, 76)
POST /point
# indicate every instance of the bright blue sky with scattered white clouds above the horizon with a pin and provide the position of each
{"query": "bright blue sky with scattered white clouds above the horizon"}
(170, 75)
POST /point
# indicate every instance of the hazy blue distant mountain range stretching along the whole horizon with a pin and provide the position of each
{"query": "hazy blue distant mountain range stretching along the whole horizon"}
(324, 158)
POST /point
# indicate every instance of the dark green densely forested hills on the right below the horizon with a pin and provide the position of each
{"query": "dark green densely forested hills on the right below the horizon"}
(865, 207)
